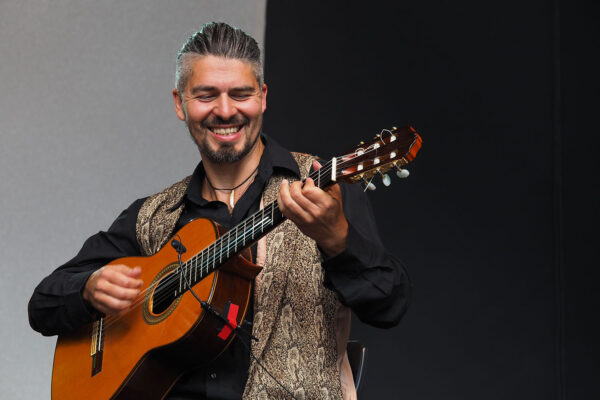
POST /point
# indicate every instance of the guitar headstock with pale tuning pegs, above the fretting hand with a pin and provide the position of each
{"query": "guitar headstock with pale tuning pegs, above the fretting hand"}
(391, 149)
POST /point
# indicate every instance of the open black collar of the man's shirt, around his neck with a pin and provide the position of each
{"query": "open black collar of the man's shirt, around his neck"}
(274, 158)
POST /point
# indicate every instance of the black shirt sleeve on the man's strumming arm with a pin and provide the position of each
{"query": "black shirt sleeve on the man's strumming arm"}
(57, 306)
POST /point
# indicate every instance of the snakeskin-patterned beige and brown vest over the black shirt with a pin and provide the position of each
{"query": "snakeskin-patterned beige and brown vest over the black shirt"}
(293, 311)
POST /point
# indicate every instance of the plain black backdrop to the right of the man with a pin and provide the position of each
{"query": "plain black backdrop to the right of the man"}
(494, 222)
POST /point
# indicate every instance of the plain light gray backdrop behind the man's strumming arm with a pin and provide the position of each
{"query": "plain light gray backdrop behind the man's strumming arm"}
(87, 126)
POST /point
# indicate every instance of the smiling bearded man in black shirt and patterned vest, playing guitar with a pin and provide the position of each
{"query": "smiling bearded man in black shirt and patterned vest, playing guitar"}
(330, 250)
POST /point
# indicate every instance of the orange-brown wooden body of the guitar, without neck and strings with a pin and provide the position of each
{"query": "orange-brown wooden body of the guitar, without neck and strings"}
(144, 352)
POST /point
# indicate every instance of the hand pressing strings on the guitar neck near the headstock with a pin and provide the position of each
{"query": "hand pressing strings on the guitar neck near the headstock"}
(317, 213)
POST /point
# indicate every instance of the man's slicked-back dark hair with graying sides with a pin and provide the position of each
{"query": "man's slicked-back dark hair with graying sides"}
(217, 39)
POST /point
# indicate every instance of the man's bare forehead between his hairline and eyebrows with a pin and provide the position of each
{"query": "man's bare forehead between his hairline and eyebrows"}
(221, 72)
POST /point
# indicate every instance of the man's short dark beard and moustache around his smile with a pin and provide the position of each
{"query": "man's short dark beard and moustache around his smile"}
(227, 153)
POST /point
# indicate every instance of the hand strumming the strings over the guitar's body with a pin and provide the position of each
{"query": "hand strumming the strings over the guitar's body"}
(113, 288)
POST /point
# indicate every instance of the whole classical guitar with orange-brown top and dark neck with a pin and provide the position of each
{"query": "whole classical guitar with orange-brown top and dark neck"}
(140, 353)
